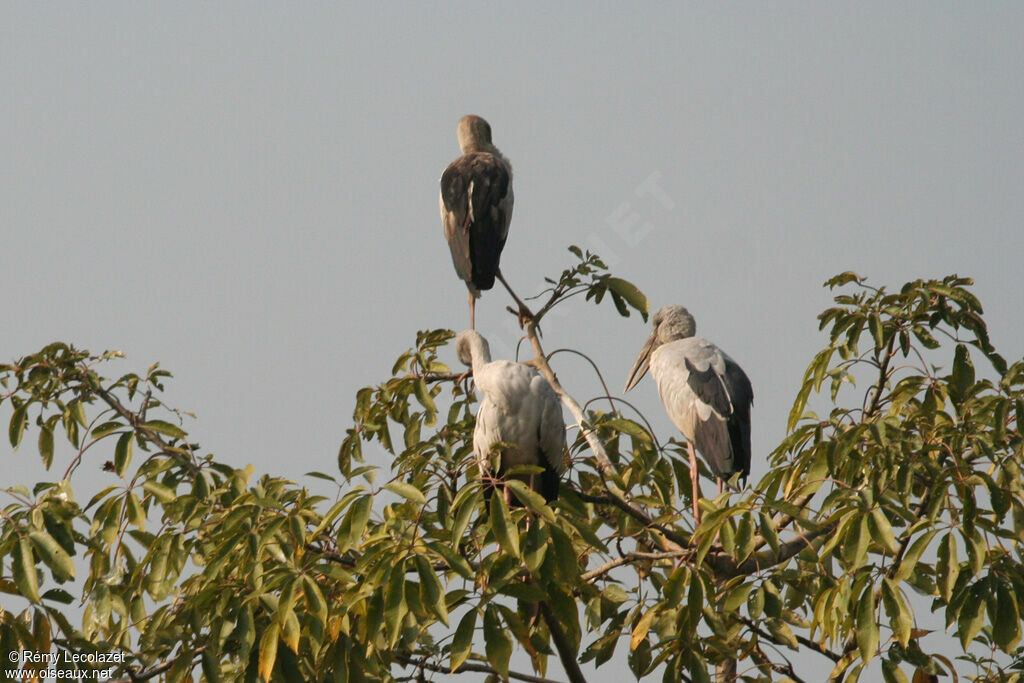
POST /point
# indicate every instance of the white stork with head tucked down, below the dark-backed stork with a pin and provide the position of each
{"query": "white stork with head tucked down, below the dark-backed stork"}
(521, 411)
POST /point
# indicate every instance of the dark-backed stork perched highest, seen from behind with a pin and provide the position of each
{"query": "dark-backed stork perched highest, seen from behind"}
(477, 207)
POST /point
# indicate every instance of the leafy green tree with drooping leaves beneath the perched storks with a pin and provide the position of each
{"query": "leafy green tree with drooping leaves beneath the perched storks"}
(889, 504)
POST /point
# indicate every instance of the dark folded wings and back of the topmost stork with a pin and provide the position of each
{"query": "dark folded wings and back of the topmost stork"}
(474, 192)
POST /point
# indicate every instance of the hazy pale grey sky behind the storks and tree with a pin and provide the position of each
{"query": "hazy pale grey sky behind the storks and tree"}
(247, 193)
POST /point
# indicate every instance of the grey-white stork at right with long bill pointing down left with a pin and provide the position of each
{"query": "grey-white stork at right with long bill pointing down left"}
(705, 393)
